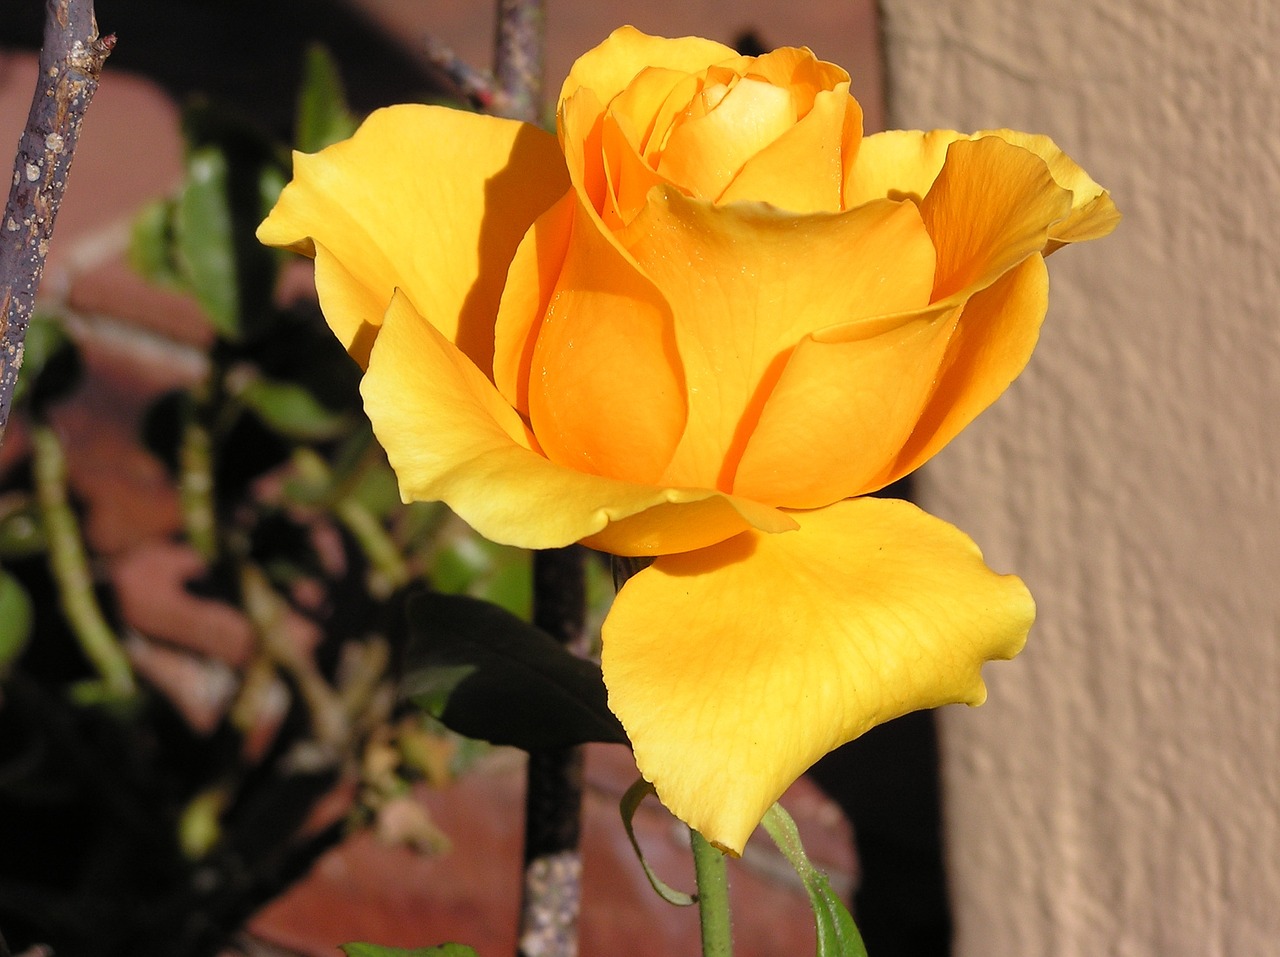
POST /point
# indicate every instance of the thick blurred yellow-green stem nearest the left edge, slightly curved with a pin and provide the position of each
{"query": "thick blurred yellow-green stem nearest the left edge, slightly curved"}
(70, 567)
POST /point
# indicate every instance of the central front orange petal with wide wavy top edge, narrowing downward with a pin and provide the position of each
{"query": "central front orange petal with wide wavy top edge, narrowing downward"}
(748, 282)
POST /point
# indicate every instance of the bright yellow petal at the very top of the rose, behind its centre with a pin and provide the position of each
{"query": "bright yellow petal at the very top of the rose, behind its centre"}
(609, 68)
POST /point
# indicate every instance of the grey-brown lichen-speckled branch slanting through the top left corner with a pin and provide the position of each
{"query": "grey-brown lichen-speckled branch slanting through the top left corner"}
(71, 63)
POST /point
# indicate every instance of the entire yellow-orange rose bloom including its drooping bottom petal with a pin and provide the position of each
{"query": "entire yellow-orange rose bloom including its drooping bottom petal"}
(702, 324)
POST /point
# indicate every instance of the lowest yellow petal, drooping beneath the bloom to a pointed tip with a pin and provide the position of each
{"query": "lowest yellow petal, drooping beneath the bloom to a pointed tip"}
(737, 667)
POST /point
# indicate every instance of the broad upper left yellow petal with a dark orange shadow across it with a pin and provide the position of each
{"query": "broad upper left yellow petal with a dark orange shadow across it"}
(426, 200)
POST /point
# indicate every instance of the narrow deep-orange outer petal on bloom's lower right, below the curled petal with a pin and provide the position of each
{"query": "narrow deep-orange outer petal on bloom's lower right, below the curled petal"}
(989, 350)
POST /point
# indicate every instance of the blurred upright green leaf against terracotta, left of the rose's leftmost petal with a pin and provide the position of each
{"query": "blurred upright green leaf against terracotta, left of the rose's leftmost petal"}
(204, 241)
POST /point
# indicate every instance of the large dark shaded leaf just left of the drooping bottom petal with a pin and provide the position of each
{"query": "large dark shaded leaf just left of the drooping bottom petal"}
(488, 675)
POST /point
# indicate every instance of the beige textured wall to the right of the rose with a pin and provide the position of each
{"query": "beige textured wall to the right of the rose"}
(1119, 793)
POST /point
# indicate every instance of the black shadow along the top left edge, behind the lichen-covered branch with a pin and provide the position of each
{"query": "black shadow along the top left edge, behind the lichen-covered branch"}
(246, 54)
